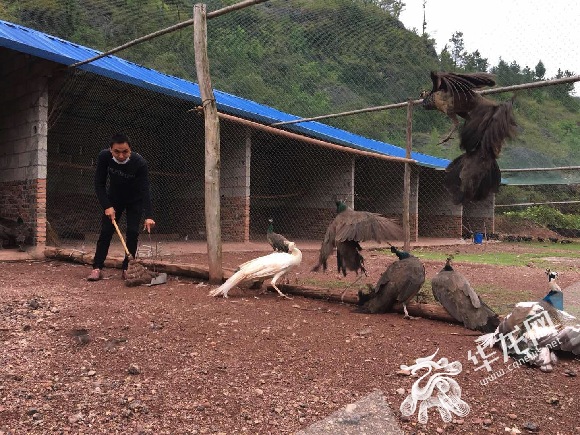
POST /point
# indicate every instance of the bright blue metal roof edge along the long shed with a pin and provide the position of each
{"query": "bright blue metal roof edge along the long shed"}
(33, 42)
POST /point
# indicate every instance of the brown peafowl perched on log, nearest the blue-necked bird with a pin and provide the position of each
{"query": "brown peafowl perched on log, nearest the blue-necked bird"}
(454, 292)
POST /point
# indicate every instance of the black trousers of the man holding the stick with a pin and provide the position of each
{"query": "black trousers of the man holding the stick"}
(134, 213)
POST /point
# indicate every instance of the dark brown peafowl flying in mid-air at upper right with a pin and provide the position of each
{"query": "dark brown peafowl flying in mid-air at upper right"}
(475, 174)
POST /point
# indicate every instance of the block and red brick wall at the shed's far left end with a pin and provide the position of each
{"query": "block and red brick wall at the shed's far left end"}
(23, 139)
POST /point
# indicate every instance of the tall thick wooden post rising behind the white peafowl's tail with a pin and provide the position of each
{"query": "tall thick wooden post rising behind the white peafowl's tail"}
(212, 146)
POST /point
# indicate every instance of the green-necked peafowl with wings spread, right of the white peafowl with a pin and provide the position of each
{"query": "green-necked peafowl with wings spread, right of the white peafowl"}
(347, 229)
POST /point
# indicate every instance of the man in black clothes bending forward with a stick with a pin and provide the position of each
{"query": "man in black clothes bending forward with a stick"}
(129, 192)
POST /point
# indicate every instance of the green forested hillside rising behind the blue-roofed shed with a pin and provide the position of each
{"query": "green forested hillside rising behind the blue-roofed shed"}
(312, 57)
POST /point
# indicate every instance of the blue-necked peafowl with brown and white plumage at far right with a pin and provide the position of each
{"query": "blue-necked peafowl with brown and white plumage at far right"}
(533, 330)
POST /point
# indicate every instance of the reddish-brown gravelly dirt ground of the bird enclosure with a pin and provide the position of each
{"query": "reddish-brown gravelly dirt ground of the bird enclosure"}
(80, 357)
